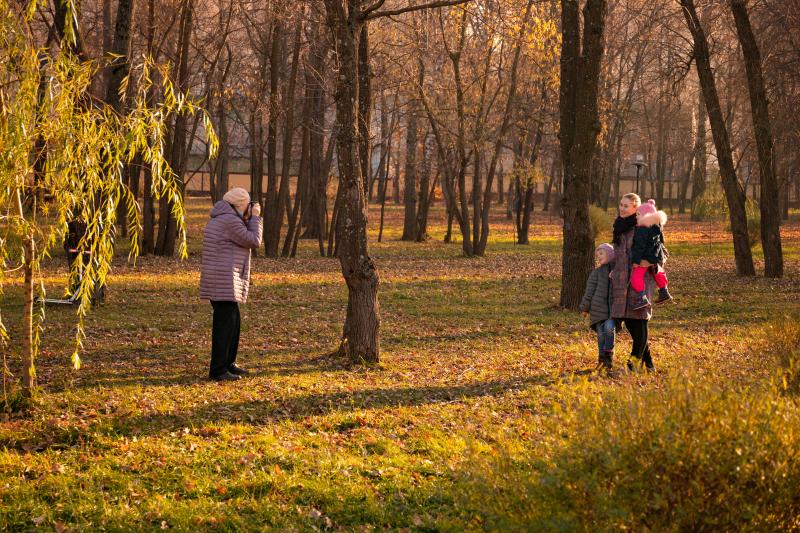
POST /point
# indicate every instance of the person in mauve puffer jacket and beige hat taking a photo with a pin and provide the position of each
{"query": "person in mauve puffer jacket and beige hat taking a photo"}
(235, 228)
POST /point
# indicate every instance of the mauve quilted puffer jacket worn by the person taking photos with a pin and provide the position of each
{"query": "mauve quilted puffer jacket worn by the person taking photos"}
(225, 265)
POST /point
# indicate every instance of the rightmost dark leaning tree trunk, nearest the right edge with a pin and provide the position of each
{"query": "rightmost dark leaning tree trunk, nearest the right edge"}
(762, 129)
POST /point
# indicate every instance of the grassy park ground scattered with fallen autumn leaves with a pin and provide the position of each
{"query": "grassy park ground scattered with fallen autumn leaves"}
(477, 362)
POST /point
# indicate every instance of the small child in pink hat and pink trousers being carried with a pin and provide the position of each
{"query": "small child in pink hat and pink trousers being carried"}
(647, 252)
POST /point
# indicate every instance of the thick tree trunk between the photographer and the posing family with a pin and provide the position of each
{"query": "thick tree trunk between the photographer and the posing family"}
(360, 335)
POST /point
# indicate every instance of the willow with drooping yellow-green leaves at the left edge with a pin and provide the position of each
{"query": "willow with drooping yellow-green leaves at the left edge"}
(60, 145)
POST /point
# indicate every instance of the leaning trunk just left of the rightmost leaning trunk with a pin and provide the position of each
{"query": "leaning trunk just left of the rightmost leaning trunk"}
(733, 190)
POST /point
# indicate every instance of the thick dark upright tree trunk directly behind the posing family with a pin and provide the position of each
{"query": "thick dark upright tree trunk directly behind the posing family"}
(579, 127)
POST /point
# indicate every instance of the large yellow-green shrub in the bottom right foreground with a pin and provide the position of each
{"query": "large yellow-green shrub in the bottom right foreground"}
(690, 456)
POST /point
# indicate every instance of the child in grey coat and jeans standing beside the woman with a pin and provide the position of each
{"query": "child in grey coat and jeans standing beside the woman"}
(596, 304)
